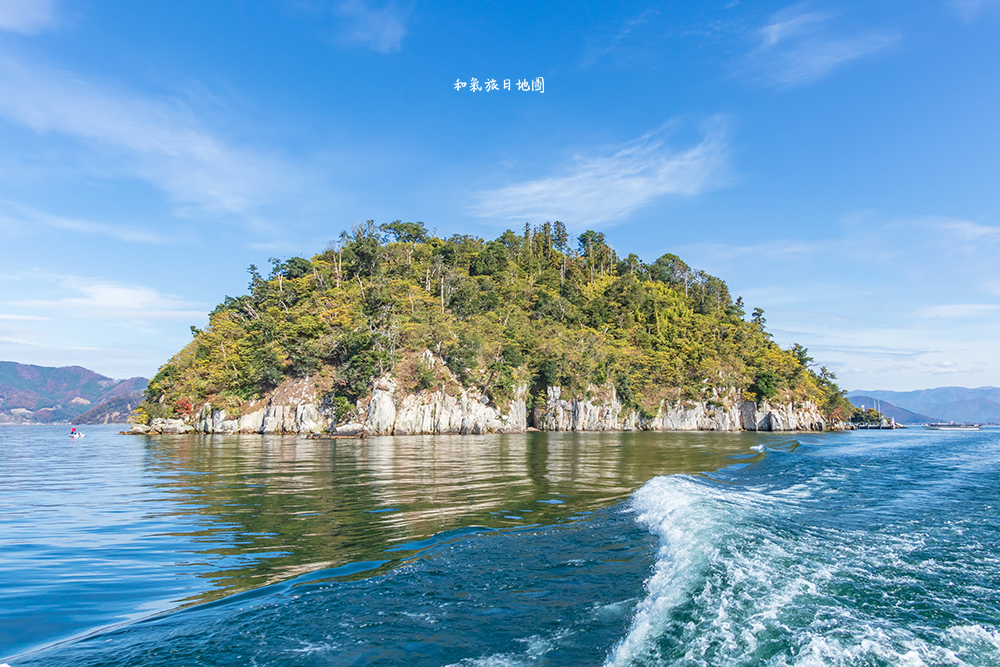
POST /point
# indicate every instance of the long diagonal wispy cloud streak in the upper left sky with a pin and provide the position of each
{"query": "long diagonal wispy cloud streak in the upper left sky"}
(159, 140)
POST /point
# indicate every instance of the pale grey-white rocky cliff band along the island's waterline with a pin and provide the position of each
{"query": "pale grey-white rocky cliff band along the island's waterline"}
(294, 407)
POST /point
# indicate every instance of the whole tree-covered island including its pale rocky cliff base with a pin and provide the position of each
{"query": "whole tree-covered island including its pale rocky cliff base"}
(391, 327)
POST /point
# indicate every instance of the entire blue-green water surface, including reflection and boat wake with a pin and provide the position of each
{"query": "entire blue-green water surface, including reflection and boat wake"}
(863, 548)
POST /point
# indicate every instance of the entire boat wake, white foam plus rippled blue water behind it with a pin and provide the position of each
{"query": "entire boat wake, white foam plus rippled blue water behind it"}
(817, 573)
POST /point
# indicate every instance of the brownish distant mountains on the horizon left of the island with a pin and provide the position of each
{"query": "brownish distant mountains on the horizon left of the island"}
(44, 394)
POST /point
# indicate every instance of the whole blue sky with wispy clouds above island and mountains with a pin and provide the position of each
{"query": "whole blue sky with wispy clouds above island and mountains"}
(838, 164)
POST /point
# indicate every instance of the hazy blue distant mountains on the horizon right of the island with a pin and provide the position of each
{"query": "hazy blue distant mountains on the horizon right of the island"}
(957, 404)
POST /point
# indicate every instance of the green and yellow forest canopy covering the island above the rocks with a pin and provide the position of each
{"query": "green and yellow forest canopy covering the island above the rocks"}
(530, 309)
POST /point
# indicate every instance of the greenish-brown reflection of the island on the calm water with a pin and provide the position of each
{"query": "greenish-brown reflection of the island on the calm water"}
(275, 507)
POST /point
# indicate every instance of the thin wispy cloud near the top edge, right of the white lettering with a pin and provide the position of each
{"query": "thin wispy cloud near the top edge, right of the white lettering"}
(799, 46)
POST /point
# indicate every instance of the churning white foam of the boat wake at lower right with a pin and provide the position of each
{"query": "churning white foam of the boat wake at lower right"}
(740, 579)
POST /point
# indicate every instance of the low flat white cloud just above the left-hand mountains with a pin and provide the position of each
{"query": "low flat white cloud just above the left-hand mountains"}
(86, 298)
